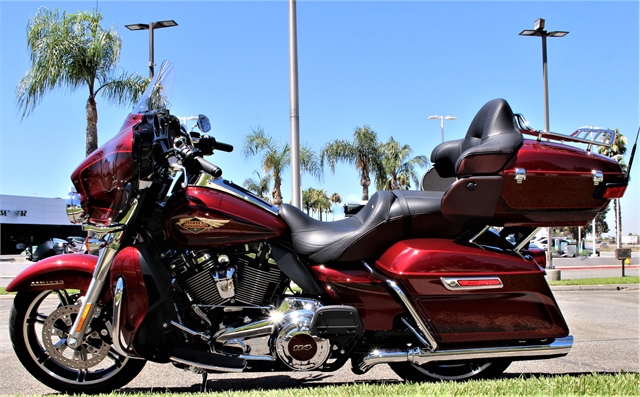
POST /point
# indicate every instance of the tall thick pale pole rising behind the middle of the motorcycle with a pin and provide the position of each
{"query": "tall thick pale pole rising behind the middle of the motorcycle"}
(296, 194)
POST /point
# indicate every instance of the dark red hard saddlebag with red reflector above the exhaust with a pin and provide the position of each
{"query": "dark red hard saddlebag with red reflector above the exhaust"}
(473, 295)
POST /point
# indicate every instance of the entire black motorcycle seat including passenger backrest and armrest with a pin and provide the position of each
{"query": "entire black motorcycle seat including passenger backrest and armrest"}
(391, 216)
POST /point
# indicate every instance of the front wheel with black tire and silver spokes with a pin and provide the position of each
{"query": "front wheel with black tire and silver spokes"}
(39, 324)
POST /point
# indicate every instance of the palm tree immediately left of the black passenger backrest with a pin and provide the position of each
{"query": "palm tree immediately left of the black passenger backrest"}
(398, 166)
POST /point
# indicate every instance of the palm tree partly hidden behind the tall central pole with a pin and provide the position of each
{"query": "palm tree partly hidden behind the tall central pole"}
(276, 158)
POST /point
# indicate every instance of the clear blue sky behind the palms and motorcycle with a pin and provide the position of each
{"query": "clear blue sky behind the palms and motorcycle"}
(386, 64)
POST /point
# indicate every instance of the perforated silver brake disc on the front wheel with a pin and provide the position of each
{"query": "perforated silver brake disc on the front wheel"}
(55, 331)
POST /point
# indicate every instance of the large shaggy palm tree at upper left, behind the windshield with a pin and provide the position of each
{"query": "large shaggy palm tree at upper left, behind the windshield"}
(69, 51)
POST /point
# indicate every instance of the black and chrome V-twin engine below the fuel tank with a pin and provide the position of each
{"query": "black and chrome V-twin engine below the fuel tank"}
(233, 301)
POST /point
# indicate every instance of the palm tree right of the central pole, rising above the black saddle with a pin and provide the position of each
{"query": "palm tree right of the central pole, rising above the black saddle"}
(363, 152)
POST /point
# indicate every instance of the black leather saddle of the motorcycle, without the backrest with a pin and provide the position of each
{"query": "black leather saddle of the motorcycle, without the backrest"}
(383, 221)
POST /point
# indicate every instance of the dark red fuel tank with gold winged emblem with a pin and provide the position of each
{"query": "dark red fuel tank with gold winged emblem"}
(216, 212)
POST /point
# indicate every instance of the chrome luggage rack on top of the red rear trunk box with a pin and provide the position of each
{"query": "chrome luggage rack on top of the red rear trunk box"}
(587, 135)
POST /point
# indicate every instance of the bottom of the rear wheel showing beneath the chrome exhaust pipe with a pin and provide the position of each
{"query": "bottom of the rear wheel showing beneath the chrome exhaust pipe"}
(451, 371)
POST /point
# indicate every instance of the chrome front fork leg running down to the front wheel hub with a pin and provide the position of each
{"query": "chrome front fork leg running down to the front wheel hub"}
(114, 235)
